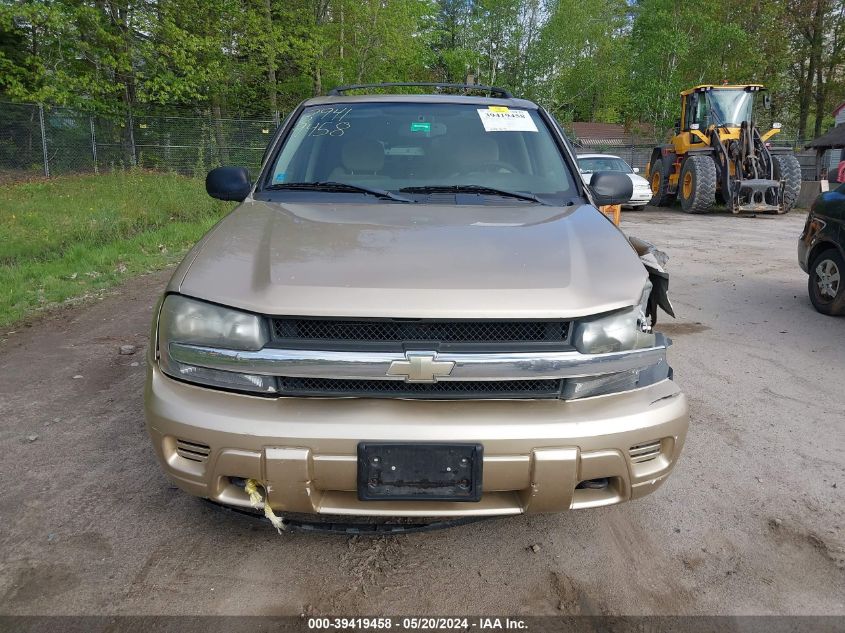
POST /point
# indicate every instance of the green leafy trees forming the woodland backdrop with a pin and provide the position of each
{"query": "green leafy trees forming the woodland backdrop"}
(603, 60)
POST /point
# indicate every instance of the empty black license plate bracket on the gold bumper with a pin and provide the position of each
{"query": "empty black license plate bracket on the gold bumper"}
(432, 471)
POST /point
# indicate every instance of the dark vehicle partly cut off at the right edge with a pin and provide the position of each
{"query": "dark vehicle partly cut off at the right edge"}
(821, 252)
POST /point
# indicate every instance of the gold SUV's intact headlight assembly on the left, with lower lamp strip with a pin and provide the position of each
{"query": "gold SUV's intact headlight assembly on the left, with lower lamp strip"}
(192, 322)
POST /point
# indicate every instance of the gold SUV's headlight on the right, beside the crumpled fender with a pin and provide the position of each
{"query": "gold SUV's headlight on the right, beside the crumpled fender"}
(616, 332)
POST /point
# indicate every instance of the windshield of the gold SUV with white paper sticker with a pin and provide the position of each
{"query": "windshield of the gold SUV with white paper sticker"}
(394, 146)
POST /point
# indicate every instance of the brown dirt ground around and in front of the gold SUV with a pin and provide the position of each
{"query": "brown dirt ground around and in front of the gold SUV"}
(751, 522)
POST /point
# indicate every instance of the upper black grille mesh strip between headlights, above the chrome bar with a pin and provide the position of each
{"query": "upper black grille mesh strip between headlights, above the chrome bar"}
(390, 331)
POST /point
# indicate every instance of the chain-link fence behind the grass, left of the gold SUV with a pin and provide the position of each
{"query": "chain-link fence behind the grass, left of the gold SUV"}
(41, 140)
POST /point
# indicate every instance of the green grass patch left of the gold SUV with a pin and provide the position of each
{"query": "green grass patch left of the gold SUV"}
(71, 237)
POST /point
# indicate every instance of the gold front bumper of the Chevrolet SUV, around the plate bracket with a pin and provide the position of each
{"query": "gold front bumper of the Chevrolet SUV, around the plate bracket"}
(304, 449)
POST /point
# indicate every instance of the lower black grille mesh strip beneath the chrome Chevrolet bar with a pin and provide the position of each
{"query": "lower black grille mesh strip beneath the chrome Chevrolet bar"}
(438, 390)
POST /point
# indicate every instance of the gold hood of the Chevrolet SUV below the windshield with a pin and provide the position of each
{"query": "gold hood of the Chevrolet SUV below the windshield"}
(419, 261)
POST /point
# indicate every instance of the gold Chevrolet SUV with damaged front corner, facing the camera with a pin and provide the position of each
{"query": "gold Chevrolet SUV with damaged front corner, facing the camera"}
(415, 311)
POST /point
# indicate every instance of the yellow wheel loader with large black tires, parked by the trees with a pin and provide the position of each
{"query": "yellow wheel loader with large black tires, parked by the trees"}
(718, 155)
